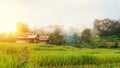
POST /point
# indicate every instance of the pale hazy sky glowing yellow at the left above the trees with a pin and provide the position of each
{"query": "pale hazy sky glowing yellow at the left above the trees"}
(69, 13)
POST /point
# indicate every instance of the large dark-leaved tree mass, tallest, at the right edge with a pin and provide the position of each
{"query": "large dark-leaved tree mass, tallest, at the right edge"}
(107, 27)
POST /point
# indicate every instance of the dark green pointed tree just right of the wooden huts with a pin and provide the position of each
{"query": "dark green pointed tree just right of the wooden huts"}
(56, 37)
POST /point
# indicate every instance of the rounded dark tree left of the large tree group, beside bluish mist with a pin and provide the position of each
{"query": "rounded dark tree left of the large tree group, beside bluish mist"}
(86, 35)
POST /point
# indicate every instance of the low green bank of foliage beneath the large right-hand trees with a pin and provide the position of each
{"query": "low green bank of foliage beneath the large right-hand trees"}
(102, 42)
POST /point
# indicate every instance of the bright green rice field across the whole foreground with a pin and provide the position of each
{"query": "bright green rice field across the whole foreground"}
(14, 55)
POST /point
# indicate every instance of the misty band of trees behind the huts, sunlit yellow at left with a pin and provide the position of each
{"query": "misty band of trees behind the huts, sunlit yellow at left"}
(105, 30)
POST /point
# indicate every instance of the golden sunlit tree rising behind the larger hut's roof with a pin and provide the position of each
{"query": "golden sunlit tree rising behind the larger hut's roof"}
(21, 27)
